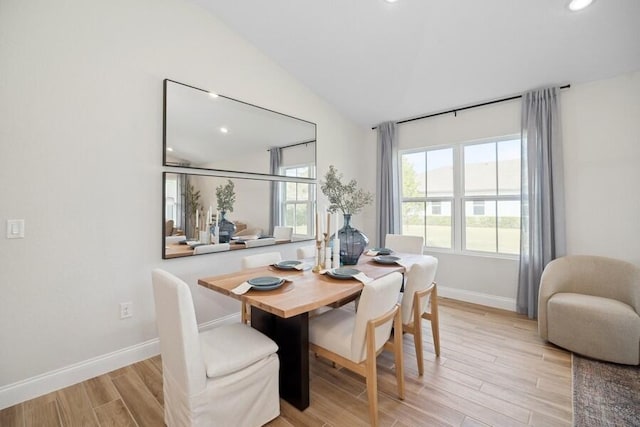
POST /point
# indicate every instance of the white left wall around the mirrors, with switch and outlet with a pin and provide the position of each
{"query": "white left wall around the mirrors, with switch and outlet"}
(81, 144)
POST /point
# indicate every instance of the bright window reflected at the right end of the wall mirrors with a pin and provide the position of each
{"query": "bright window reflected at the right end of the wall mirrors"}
(297, 201)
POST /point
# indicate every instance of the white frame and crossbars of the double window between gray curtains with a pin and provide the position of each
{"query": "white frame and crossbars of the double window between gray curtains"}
(458, 201)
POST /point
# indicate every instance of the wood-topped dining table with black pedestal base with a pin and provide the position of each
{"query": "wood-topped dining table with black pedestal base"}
(283, 313)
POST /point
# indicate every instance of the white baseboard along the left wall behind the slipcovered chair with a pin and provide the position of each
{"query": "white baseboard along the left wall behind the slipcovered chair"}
(33, 387)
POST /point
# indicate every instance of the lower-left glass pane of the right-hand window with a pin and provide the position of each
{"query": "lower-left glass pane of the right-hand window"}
(480, 230)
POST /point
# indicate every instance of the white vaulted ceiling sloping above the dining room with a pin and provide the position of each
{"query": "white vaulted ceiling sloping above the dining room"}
(375, 61)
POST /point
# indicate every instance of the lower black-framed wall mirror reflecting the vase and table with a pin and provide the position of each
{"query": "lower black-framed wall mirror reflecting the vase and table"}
(264, 212)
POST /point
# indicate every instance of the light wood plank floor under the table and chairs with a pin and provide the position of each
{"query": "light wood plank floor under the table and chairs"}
(493, 370)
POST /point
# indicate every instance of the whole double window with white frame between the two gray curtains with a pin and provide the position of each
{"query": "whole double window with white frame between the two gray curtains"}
(464, 197)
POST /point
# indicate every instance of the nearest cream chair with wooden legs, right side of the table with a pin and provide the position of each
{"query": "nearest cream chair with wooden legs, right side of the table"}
(354, 340)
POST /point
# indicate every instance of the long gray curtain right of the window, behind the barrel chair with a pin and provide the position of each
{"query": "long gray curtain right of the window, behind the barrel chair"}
(542, 236)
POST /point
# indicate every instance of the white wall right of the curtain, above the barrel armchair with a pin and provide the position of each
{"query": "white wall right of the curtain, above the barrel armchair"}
(602, 167)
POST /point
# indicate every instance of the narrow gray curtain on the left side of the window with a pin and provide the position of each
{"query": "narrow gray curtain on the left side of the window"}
(387, 187)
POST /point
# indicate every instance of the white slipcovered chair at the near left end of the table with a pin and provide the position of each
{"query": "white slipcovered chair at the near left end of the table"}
(224, 376)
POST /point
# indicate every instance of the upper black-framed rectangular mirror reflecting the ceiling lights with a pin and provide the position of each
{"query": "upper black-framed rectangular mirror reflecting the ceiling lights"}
(204, 130)
